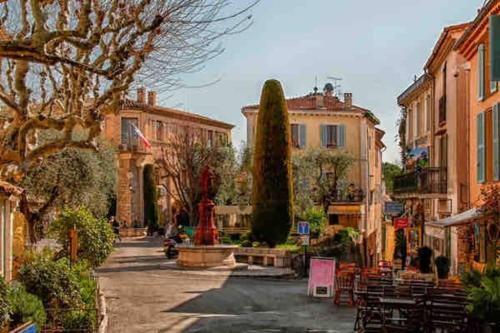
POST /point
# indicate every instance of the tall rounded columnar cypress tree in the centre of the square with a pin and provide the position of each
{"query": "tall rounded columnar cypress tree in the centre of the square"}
(272, 175)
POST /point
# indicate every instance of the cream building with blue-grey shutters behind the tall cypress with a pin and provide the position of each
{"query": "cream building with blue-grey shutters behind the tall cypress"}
(322, 120)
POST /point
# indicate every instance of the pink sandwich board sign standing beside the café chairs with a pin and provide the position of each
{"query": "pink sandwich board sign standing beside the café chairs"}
(321, 277)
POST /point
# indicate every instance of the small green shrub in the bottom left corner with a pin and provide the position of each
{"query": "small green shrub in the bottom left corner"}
(25, 307)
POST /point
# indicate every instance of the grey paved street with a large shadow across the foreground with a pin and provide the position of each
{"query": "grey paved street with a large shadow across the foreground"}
(143, 297)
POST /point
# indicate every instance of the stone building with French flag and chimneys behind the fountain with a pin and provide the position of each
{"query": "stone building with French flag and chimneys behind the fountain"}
(156, 124)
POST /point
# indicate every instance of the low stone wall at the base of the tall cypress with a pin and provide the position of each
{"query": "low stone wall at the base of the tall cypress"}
(263, 256)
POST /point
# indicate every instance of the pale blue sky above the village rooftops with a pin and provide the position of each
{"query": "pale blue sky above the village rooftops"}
(376, 47)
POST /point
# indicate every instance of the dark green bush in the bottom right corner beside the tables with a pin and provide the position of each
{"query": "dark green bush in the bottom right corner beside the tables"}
(484, 300)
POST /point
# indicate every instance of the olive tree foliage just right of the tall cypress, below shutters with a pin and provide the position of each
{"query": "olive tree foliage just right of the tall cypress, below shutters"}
(320, 176)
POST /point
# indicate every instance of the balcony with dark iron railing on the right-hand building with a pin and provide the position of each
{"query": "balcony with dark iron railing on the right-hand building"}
(431, 180)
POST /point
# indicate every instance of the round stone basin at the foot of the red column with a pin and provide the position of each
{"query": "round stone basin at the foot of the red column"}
(206, 256)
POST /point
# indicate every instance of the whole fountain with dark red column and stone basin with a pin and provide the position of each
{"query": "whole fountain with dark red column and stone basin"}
(207, 252)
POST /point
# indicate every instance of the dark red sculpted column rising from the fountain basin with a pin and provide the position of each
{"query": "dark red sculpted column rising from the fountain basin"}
(206, 231)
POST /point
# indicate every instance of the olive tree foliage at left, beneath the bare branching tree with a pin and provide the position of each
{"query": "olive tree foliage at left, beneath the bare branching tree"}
(75, 178)
